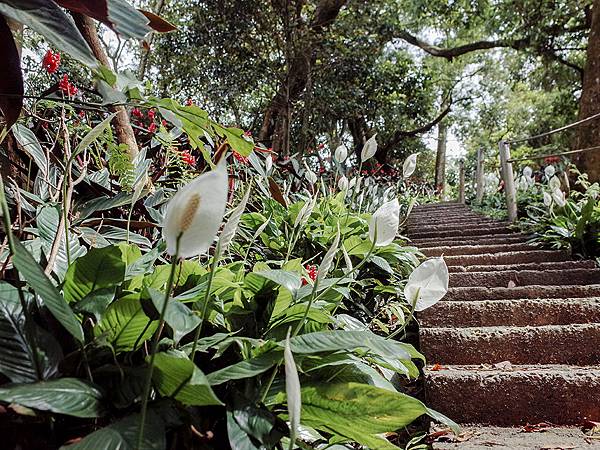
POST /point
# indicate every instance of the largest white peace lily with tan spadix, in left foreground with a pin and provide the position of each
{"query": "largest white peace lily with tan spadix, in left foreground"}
(195, 213)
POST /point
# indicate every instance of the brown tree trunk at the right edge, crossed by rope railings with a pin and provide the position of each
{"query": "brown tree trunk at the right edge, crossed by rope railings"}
(588, 134)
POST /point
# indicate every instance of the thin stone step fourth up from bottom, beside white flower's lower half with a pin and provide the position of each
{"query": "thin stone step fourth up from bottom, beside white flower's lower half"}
(518, 292)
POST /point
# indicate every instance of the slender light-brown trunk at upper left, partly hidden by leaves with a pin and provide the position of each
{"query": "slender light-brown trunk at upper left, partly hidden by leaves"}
(121, 122)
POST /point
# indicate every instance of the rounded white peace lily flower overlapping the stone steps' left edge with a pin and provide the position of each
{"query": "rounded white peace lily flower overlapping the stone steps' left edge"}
(427, 284)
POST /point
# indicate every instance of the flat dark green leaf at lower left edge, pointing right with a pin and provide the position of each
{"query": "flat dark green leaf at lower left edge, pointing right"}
(69, 396)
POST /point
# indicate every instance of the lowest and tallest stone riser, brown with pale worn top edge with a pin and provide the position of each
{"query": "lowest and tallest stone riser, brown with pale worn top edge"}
(515, 395)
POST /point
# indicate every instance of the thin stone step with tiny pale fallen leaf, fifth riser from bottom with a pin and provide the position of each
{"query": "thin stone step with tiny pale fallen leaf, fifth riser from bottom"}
(525, 278)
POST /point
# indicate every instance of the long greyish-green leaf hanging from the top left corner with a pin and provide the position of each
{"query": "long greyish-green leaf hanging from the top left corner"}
(47, 19)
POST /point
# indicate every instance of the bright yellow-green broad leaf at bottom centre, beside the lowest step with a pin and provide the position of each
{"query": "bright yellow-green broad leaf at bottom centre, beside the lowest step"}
(358, 411)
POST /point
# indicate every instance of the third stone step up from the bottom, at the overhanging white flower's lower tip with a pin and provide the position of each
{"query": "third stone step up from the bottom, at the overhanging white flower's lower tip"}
(518, 313)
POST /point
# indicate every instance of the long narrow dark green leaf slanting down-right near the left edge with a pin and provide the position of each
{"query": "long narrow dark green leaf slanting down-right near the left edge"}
(33, 274)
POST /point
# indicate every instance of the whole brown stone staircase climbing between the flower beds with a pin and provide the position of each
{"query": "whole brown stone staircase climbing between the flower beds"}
(516, 340)
